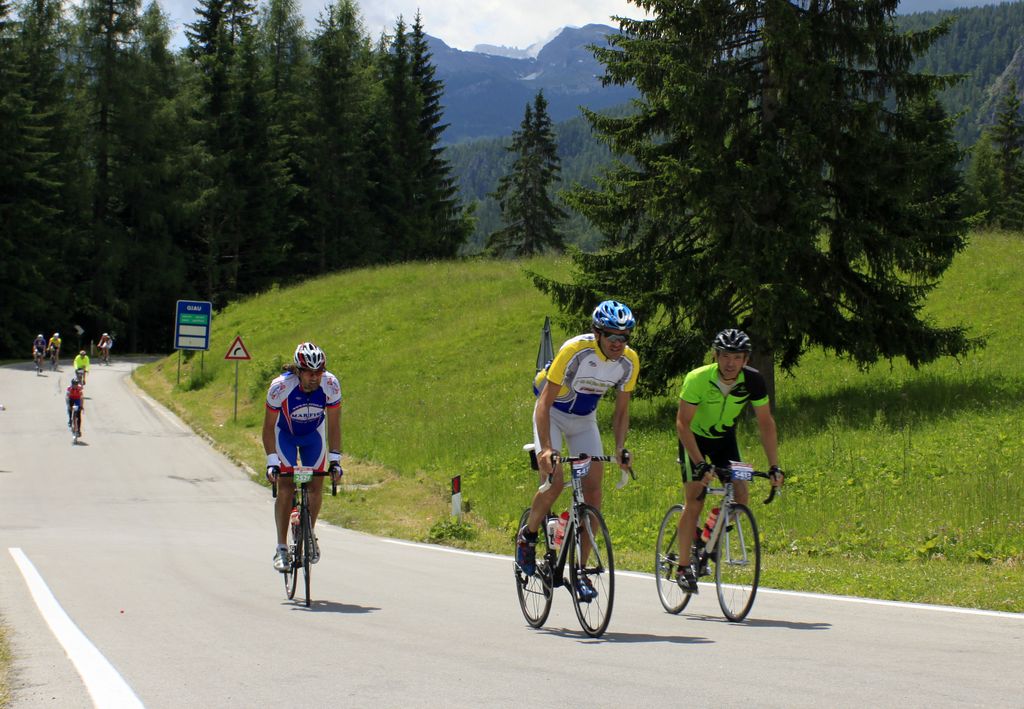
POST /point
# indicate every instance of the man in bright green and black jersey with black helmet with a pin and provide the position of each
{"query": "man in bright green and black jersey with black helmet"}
(710, 402)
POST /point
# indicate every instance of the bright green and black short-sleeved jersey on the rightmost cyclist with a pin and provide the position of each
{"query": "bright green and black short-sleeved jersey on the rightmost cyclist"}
(718, 409)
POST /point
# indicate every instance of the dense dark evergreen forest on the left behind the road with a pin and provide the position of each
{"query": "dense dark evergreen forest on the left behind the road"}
(133, 176)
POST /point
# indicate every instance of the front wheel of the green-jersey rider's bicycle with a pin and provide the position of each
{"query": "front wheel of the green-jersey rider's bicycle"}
(738, 567)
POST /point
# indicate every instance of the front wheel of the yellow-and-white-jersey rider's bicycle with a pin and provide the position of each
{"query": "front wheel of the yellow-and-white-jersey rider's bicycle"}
(600, 570)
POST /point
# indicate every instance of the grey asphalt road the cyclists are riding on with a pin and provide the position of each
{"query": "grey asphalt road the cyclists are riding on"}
(136, 570)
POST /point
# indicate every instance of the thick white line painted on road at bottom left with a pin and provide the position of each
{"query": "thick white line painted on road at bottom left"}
(107, 688)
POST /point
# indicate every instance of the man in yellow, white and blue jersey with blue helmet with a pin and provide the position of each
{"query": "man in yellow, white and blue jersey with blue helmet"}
(570, 389)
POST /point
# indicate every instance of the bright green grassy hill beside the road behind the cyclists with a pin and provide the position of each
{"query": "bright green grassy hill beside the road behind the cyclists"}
(904, 484)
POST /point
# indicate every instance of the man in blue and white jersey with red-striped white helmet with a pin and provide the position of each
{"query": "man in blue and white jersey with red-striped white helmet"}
(303, 424)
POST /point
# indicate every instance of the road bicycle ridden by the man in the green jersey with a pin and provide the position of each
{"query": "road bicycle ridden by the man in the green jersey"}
(735, 549)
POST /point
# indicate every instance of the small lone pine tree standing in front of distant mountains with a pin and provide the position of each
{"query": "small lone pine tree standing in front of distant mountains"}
(525, 194)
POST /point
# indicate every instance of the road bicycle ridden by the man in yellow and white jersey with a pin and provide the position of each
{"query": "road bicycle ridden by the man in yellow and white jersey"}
(585, 551)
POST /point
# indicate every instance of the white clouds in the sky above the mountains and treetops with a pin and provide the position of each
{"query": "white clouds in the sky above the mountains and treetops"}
(461, 24)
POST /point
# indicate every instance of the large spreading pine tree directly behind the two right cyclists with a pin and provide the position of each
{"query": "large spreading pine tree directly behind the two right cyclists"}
(792, 178)
